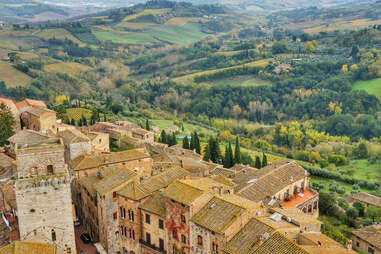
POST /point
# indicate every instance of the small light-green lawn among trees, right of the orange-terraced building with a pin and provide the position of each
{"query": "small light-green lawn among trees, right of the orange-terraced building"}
(364, 170)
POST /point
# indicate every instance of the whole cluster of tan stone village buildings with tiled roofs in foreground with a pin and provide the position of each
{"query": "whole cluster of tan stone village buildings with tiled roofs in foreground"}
(60, 181)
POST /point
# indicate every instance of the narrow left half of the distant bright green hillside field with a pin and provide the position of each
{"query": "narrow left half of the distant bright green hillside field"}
(124, 37)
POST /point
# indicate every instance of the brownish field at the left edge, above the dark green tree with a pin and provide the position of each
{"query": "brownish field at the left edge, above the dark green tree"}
(13, 77)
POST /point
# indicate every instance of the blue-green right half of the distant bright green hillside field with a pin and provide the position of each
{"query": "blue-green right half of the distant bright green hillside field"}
(188, 33)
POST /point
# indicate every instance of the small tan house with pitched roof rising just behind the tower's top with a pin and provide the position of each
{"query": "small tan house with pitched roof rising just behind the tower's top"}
(39, 119)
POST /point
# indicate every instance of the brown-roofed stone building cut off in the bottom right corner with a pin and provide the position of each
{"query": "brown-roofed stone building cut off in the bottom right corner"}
(367, 239)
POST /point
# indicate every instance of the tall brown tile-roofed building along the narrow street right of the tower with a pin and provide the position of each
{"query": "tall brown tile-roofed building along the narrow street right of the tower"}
(98, 207)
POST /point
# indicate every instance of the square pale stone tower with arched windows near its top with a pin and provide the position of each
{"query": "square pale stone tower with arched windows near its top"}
(43, 193)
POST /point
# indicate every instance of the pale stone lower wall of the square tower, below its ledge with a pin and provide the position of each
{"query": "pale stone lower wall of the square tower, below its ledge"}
(44, 205)
